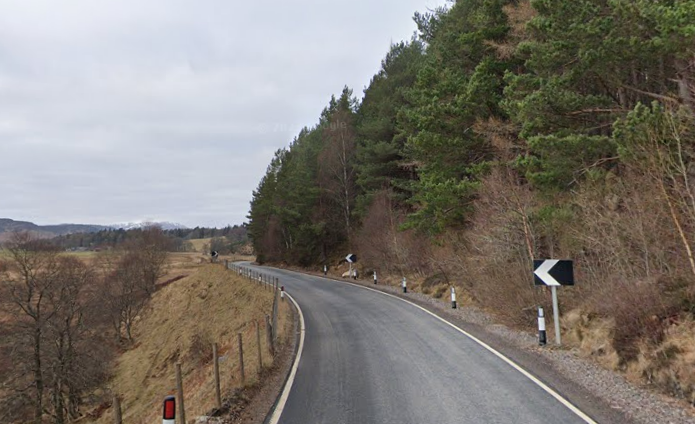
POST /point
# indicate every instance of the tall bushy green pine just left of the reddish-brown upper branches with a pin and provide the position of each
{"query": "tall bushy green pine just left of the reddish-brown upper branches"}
(460, 83)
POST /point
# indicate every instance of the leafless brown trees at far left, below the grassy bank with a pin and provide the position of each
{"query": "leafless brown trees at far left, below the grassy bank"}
(63, 319)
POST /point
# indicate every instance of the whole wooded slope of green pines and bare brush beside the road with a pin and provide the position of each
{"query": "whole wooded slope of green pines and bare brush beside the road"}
(507, 131)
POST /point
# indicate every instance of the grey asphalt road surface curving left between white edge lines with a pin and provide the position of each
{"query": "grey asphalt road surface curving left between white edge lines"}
(370, 358)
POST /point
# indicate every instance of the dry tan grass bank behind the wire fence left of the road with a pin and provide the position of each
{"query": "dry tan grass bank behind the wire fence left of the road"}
(211, 305)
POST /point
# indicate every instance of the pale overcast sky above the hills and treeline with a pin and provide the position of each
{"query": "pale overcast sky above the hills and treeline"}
(170, 110)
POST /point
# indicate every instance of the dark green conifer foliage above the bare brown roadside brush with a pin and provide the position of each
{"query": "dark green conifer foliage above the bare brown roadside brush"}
(556, 74)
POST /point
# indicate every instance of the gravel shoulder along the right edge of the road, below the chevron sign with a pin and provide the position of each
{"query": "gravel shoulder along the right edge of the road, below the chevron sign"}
(605, 395)
